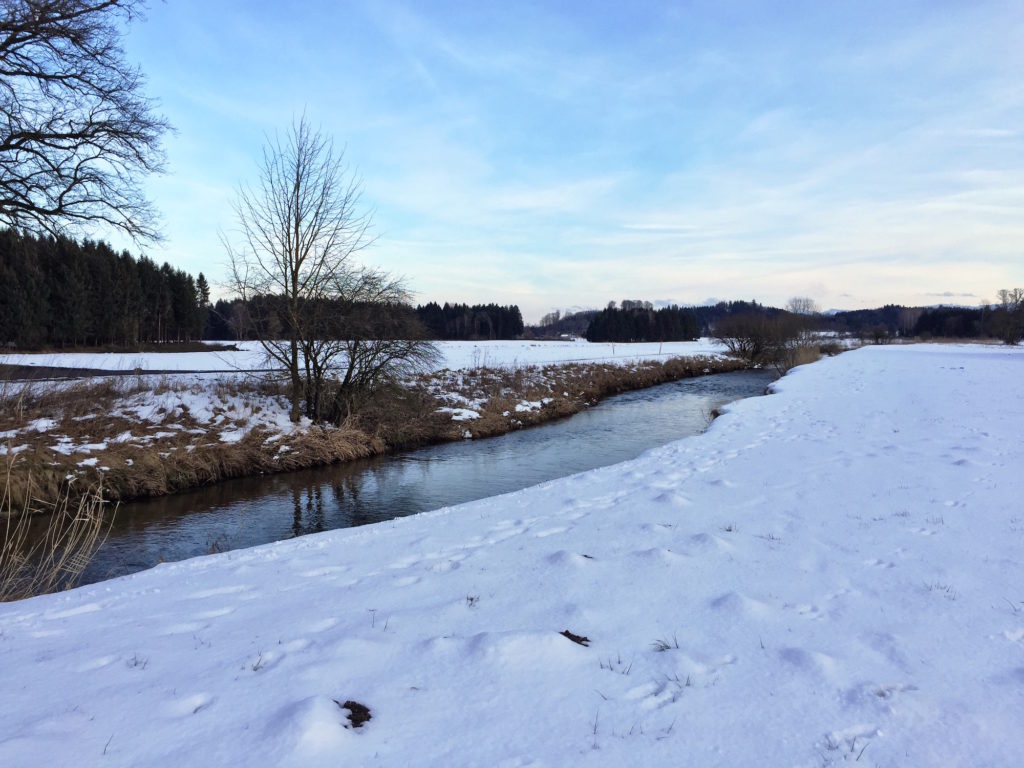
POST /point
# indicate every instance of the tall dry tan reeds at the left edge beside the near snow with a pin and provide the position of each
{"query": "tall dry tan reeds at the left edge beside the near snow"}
(47, 546)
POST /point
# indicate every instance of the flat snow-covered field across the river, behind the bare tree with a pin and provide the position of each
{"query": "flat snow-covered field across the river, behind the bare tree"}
(455, 355)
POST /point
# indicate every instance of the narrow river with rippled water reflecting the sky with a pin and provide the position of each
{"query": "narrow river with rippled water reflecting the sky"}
(248, 511)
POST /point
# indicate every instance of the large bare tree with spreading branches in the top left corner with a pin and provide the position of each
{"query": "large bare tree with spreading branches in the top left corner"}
(76, 133)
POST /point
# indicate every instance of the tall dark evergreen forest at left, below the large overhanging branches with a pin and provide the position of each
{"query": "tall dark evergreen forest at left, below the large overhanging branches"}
(56, 292)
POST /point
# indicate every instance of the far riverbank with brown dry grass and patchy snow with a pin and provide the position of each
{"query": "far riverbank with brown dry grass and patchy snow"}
(148, 436)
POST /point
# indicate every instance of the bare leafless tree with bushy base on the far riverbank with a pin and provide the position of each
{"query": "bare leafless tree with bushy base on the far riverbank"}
(327, 321)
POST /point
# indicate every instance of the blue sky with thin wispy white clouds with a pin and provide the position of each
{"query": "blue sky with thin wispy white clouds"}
(565, 155)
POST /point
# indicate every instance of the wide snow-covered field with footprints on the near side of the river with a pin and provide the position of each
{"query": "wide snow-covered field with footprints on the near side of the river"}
(831, 575)
